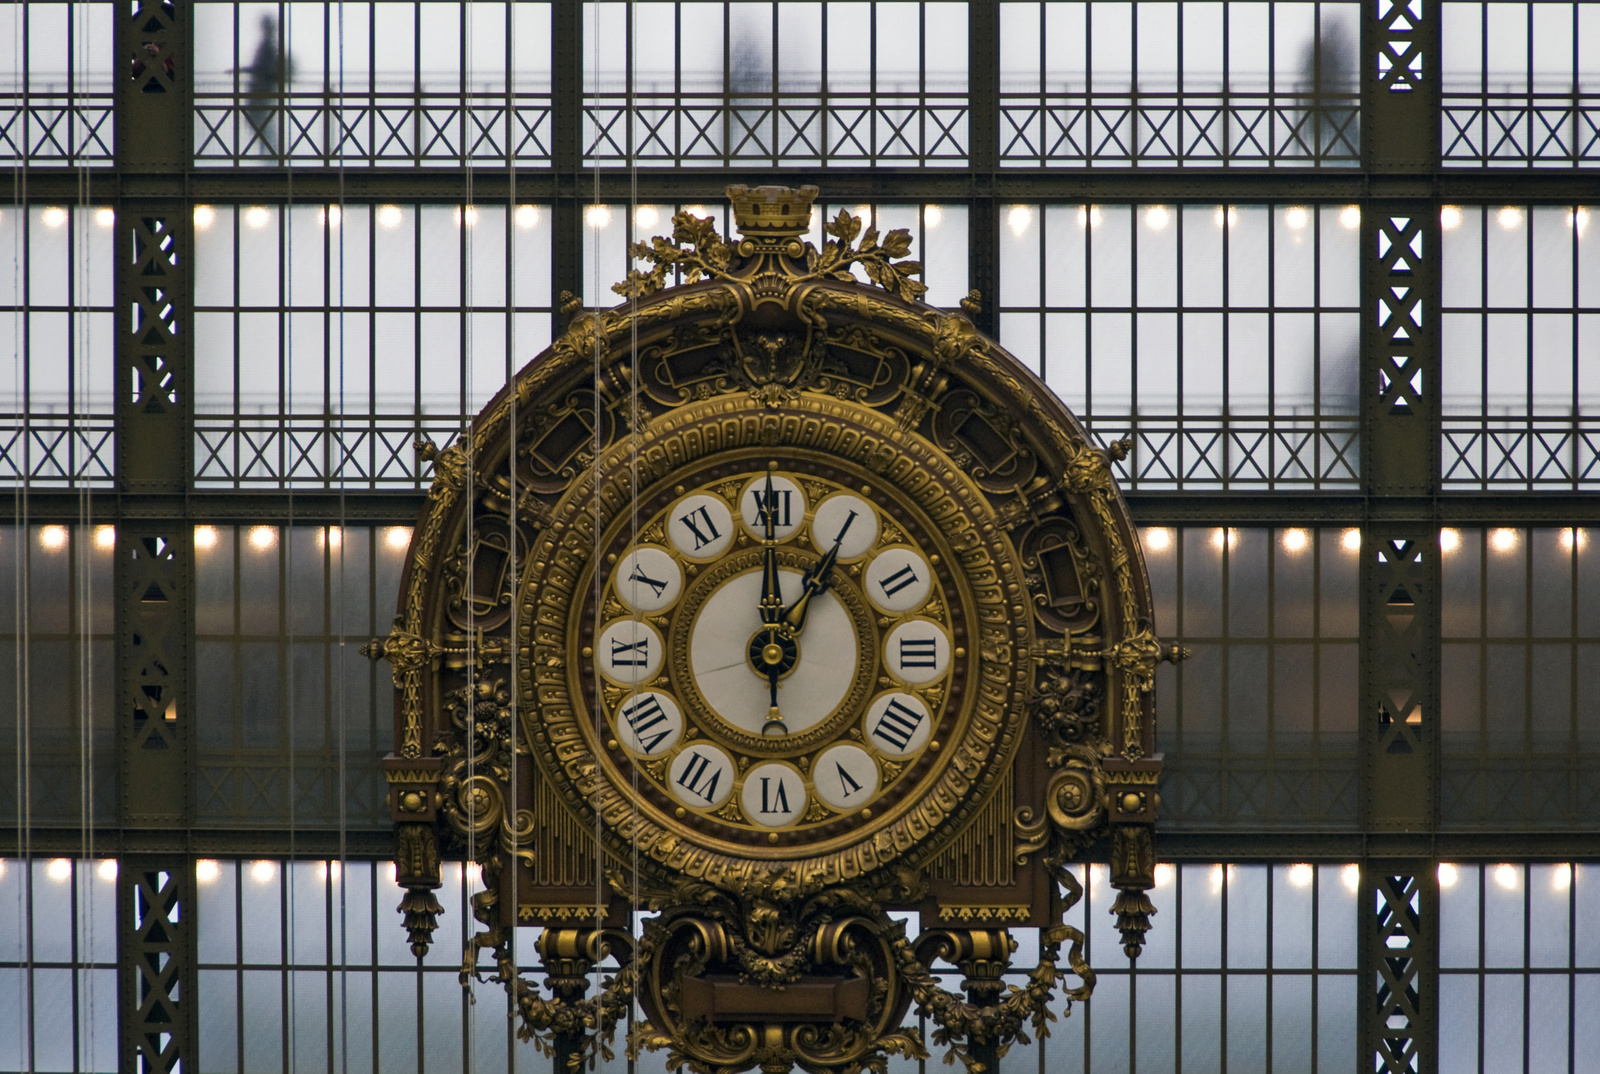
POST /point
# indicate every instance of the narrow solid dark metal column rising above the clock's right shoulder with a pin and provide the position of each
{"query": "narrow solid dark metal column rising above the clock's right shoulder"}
(983, 126)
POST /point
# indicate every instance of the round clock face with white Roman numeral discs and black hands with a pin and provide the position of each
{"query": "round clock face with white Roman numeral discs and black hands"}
(778, 649)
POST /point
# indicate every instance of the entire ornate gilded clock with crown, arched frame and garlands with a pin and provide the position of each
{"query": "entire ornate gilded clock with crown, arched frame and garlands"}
(775, 603)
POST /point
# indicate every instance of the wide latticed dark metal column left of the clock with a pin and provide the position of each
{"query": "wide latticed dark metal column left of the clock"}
(154, 567)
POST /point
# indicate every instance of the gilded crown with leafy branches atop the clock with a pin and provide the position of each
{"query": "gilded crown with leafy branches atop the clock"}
(772, 222)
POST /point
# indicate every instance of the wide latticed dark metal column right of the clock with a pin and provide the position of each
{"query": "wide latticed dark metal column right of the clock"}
(1401, 571)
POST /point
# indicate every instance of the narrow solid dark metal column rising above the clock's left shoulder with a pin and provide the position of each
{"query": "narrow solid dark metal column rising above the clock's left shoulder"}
(567, 154)
